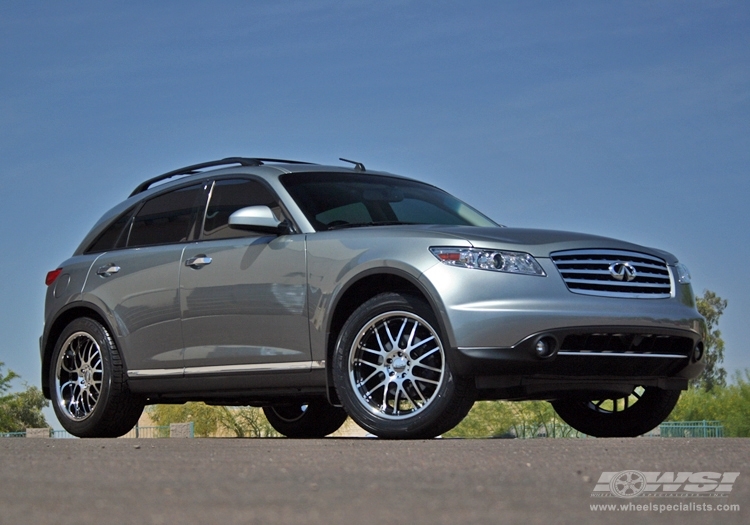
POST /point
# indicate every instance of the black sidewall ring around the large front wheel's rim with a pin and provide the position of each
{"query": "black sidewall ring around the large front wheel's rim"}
(419, 424)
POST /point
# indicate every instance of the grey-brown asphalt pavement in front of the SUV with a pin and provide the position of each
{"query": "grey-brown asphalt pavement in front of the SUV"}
(364, 481)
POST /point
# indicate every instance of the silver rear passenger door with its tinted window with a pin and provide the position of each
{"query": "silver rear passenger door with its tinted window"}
(138, 284)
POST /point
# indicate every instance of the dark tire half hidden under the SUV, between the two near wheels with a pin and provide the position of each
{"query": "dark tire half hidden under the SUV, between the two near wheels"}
(314, 419)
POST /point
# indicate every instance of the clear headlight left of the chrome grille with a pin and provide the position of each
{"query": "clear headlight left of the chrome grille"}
(493, 260)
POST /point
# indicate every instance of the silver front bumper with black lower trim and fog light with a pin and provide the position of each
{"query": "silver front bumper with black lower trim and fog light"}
(493, 321)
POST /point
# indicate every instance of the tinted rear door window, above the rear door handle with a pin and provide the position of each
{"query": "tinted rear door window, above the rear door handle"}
(168, 218)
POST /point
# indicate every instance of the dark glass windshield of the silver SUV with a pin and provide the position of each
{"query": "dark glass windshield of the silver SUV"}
(341, 200)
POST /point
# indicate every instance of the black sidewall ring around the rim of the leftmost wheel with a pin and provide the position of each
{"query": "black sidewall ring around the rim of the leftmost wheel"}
(101, 336)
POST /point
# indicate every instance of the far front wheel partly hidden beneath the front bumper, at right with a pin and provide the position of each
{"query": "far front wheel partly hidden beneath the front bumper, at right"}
(628, 416)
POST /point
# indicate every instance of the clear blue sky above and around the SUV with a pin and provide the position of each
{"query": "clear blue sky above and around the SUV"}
(625, 119)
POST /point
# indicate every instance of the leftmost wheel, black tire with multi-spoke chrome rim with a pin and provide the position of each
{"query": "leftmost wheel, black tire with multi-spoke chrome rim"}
(88, 383)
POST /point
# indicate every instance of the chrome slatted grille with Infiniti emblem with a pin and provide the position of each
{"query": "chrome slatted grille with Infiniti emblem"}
(595, 272)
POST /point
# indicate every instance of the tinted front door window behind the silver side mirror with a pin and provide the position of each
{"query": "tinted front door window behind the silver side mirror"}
(229, 196)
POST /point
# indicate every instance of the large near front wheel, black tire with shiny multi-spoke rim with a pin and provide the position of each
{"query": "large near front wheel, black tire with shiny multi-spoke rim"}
(391, 370)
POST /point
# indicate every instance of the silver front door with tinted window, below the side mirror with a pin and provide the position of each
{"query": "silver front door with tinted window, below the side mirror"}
(243, 293)
